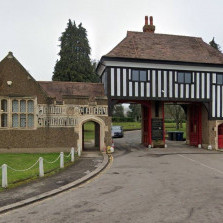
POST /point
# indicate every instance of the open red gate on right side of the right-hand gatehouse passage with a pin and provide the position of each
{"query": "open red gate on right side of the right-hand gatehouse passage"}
(195, 124)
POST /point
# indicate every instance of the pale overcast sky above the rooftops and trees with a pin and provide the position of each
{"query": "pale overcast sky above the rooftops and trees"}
(30, 29)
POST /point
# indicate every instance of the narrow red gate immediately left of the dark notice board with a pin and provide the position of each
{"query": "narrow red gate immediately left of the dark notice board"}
(146, 122)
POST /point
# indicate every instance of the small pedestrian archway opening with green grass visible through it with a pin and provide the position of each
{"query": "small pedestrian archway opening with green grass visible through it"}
(91, 136)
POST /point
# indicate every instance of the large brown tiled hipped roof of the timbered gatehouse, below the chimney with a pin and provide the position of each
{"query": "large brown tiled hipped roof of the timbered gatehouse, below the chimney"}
(152, 46)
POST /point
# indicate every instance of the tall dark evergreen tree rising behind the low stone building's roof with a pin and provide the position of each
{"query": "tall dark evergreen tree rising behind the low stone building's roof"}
(74, 63)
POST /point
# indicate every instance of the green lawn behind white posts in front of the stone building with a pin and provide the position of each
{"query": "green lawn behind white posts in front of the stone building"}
(26, 160)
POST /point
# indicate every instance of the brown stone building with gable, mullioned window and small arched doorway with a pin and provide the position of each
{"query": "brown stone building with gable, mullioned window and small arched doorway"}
(48, 116)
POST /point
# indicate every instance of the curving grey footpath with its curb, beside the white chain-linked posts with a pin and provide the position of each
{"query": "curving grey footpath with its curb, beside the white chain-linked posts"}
(86, 167)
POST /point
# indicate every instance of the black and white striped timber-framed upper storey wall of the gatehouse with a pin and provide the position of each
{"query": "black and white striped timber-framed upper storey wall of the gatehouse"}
(162, 84)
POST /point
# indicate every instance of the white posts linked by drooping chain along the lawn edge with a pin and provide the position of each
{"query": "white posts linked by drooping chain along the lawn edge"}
(41, 161)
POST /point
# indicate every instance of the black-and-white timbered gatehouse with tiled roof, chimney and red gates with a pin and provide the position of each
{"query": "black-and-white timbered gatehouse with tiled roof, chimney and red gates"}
(153, 69)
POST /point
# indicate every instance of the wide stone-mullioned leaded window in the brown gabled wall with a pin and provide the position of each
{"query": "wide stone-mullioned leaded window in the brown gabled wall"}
(20, 115)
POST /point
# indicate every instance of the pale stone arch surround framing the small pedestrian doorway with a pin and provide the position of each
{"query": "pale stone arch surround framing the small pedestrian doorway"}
(97, 120)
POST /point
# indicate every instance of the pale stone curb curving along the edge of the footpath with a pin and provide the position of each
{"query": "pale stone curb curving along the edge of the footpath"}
(66, 187)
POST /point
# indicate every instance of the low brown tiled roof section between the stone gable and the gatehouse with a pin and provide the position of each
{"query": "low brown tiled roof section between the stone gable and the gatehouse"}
(57, 89)
